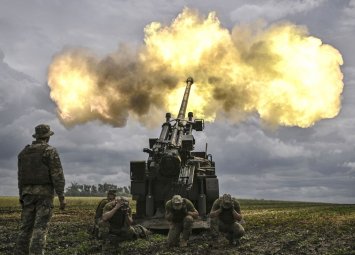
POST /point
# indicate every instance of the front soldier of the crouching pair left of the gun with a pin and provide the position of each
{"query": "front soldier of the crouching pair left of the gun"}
(117, 215)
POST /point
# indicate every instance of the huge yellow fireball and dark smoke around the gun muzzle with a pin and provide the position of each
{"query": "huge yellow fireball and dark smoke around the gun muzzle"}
(280, 72)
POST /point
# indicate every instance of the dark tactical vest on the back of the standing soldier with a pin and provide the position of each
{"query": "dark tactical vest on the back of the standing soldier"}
(32, 170)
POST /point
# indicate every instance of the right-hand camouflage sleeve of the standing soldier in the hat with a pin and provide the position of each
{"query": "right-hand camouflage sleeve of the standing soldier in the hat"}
(56, 171)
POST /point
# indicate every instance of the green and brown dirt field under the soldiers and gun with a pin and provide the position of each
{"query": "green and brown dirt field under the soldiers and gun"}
(272, 227)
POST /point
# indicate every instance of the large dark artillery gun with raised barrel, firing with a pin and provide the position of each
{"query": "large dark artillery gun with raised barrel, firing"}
(173, 167)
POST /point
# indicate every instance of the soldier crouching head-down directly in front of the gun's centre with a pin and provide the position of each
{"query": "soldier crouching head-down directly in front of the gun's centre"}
(180, 212)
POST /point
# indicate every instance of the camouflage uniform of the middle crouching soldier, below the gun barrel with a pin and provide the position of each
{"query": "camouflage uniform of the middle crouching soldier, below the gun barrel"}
(180, 221)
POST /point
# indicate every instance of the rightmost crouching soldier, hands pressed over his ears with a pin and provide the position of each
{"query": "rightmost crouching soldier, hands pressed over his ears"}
(227, 210)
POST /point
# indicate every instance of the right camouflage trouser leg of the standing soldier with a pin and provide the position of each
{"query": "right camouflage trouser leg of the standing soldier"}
(44, 209)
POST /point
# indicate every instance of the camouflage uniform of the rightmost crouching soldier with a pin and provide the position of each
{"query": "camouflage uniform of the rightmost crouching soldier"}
(226, 222)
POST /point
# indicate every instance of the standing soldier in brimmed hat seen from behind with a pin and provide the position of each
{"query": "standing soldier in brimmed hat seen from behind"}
(40, 173)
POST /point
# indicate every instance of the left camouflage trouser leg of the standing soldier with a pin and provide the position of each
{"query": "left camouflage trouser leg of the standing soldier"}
(26, 227)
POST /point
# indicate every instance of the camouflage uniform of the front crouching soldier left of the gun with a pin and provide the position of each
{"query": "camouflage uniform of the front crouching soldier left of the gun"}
(116, 229)
